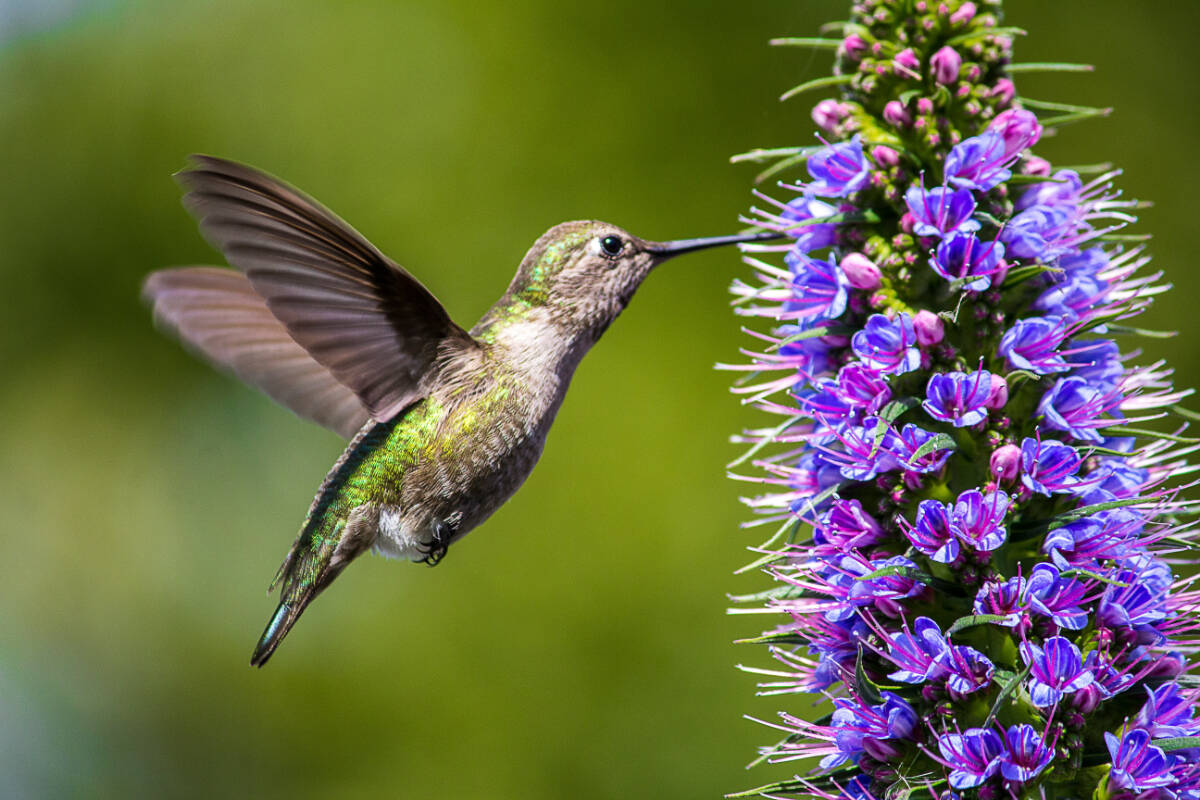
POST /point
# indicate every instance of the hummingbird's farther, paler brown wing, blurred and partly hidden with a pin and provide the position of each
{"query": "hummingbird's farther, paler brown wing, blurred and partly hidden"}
(217, 312)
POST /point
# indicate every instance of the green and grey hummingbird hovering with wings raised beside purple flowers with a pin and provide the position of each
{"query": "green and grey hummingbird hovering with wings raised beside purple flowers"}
(445, 424)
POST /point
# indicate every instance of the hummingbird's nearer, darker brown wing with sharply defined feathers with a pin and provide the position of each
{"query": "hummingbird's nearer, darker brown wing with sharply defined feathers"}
(358, 314)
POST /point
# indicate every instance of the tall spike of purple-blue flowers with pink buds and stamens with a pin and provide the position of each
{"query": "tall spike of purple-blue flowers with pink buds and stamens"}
(974, 521)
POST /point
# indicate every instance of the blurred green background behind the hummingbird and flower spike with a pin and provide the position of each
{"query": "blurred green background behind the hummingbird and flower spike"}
(577, 647)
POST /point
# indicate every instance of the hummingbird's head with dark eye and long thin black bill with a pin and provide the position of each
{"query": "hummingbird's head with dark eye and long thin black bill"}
(586, 273)
